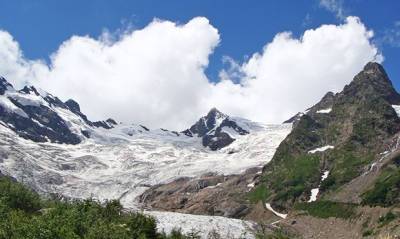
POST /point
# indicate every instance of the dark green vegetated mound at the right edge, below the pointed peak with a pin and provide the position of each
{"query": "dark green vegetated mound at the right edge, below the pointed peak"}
(386, 191)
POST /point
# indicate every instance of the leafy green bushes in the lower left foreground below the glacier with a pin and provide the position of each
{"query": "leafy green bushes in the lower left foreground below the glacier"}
(25, 216)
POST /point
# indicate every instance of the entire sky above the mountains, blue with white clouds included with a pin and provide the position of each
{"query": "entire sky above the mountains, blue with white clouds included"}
(166, 63)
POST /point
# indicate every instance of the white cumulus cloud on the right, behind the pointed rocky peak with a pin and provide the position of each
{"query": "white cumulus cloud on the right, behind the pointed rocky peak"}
(291, 74)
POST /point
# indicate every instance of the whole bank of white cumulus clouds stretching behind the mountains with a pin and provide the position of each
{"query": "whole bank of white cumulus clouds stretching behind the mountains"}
(155, 75)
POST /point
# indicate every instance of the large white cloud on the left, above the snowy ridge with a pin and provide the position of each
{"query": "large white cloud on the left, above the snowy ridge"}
(154, 76)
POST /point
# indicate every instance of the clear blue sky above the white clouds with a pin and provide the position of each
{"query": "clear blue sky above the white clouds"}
(41, 26)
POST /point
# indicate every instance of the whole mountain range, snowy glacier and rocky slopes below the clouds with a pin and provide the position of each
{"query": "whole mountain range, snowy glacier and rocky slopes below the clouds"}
(336, 161)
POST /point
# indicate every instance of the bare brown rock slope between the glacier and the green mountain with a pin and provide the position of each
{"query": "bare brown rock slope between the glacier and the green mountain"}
(208, 195)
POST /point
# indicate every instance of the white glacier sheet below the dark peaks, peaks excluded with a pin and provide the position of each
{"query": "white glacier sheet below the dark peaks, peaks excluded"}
(124, 161)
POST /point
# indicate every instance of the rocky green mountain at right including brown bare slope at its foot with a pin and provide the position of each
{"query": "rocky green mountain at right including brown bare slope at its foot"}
(335, 175)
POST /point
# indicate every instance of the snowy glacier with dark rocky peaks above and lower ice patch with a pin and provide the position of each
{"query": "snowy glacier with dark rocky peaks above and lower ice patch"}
(53, 148)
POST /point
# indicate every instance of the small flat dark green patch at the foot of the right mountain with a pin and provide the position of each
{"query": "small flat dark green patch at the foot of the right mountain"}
(325, 209)
